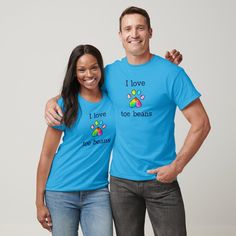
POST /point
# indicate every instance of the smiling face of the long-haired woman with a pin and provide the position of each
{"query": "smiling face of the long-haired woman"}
(88, 72)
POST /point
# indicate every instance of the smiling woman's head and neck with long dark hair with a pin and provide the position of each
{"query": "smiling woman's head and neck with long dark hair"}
(85, 76)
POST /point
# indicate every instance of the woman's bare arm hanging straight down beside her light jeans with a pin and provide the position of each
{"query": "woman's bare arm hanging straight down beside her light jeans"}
(50, 144)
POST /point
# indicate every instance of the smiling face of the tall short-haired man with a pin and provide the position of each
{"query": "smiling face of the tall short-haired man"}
(135, 34)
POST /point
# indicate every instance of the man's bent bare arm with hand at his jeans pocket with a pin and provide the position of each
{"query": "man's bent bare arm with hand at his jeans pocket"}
(200, 127)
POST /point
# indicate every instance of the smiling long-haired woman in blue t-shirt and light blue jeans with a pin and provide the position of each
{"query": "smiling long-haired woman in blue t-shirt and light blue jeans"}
(73, 182)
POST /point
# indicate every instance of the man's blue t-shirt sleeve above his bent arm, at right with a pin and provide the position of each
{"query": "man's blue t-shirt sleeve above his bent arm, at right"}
(183, 90)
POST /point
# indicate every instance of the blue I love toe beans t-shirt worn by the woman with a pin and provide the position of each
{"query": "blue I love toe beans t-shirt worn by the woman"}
(82, 159)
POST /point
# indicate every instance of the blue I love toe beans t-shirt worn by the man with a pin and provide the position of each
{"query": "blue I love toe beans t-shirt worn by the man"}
(145, 98)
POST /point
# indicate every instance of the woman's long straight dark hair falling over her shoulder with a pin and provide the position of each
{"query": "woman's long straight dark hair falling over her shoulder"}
(71, 86)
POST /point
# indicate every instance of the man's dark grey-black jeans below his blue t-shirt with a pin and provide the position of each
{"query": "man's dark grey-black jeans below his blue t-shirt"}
(163, 201)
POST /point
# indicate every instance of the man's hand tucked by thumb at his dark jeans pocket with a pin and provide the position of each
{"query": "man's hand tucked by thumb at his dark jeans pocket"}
(166, 174)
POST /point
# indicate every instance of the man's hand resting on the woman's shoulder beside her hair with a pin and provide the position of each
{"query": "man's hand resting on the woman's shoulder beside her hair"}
(53, 112)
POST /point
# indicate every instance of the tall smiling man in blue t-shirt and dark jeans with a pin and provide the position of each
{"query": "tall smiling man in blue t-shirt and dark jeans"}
(145, 90)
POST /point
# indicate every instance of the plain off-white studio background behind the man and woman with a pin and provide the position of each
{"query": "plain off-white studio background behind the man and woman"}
(36, 38)
